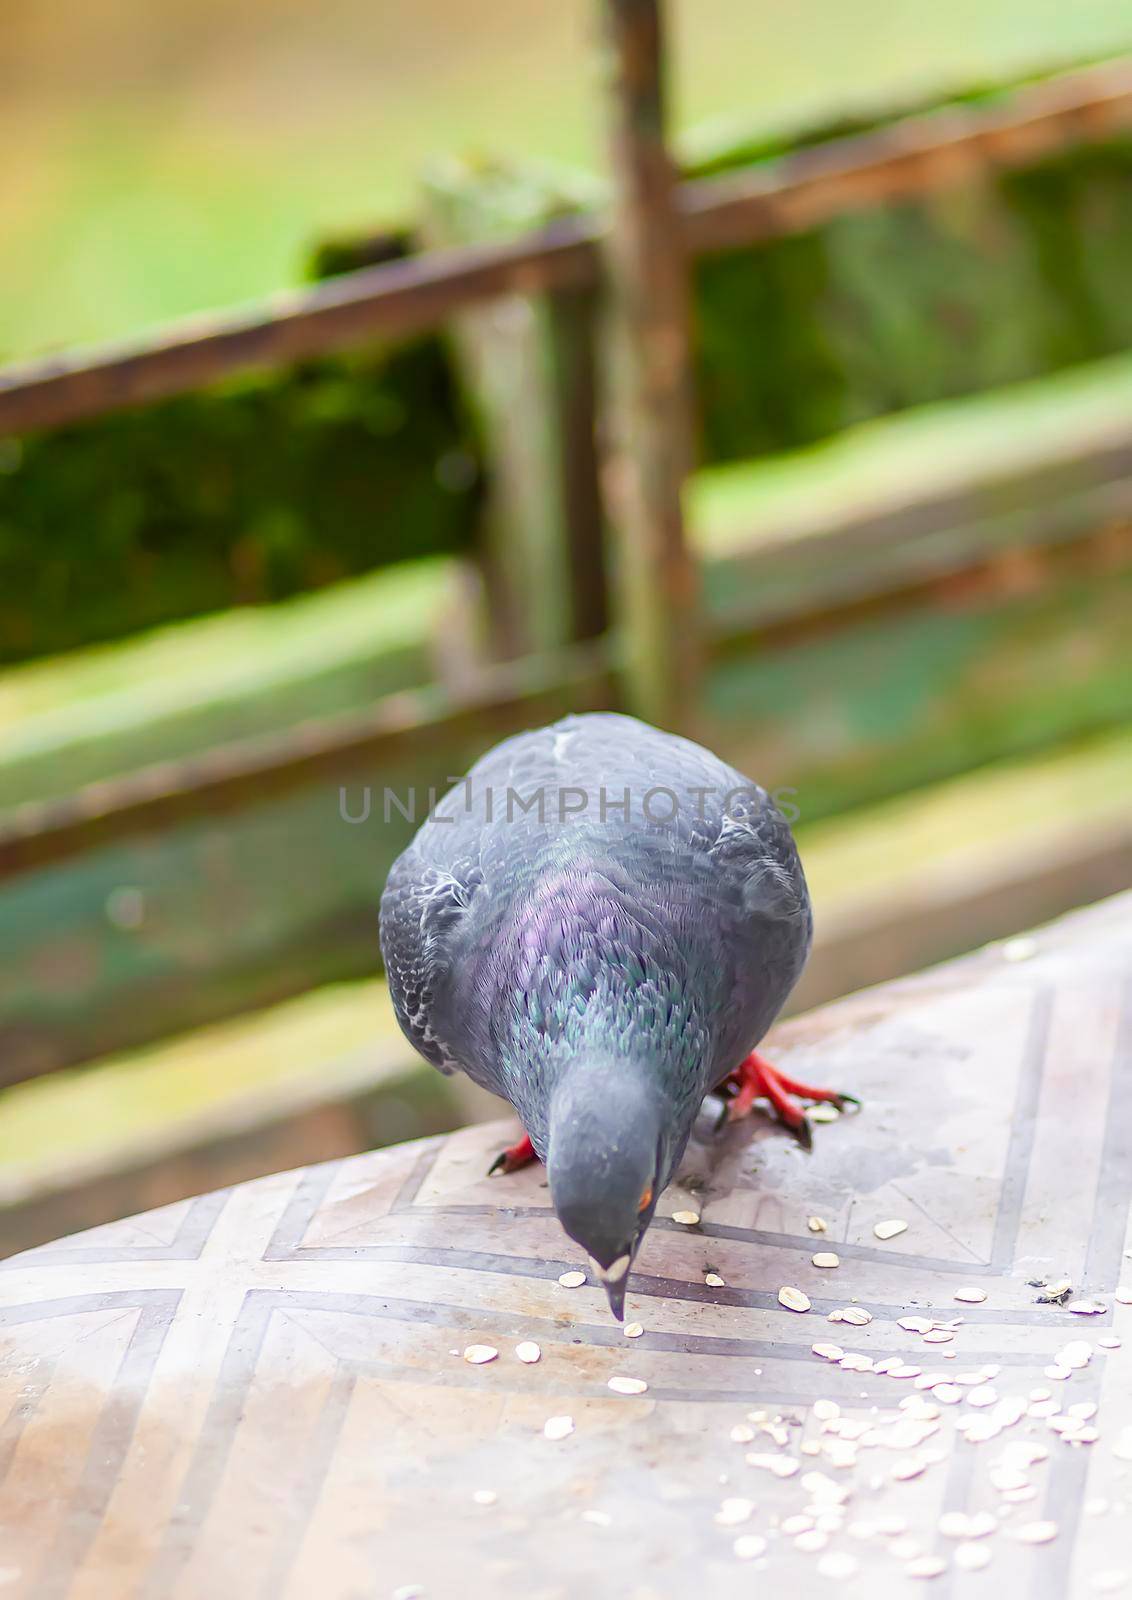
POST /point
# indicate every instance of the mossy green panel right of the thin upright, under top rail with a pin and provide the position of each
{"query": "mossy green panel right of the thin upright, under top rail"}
(987, 284)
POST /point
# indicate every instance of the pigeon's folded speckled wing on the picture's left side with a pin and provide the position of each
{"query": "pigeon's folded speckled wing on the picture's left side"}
(423, 913)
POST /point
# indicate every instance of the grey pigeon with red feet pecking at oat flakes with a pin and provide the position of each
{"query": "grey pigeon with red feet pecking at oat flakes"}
(600, 924)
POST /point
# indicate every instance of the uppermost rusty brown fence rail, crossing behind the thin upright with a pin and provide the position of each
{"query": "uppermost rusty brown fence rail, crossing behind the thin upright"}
(401, 298)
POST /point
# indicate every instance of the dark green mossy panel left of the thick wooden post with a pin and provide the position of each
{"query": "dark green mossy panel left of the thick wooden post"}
(245, 495)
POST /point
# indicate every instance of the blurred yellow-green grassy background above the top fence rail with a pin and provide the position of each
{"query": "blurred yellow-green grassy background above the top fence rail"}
(167, 158)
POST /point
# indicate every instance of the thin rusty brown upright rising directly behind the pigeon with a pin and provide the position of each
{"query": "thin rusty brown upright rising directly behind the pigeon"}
(650, 382)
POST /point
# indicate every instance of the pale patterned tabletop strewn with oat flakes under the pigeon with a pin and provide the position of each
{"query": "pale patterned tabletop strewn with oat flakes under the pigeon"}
(265, 1393)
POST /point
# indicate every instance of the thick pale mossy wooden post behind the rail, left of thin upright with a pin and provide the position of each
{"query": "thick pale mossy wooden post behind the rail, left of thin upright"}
(530, 370)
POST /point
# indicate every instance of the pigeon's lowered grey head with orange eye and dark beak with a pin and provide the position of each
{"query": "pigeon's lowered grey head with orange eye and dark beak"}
(608, 1162)
